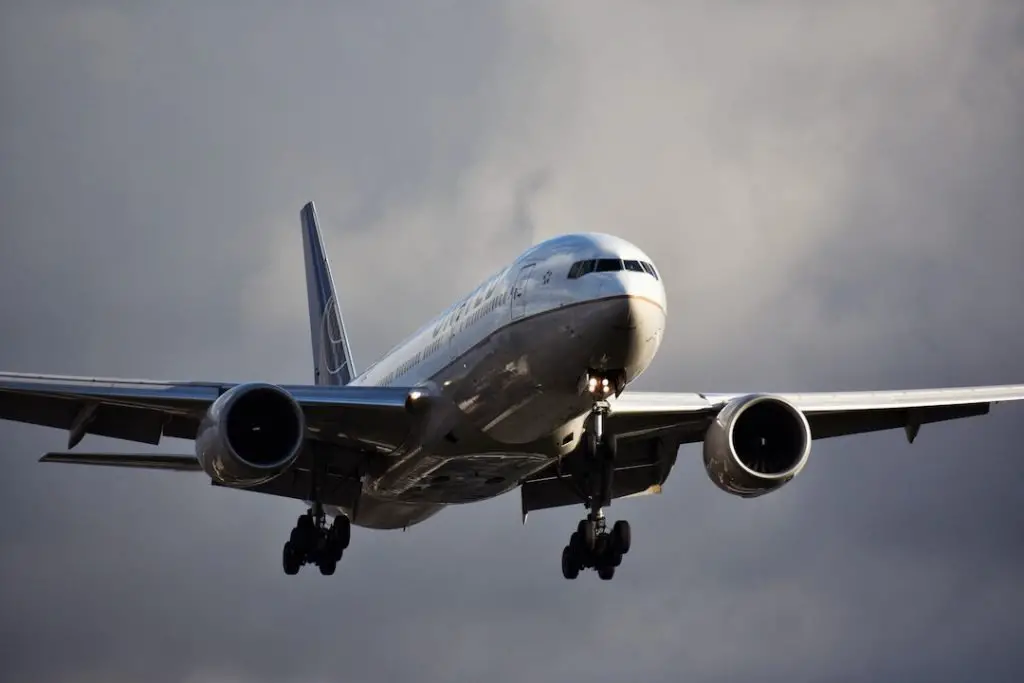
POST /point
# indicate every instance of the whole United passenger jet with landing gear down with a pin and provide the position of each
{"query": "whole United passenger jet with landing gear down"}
(522, 383)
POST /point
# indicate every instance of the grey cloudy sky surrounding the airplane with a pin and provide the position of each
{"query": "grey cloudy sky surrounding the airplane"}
(832, 190)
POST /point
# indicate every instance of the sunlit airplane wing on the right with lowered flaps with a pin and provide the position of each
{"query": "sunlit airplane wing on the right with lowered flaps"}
(652, 426)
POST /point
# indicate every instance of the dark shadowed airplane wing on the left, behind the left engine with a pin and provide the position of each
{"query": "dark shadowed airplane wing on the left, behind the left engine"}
(146, 411)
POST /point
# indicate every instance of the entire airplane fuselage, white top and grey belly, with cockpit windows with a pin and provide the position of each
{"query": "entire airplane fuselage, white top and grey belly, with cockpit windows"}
(511, 357)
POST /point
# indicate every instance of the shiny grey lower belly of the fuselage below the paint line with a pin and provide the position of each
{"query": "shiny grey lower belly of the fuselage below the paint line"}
(521, 402)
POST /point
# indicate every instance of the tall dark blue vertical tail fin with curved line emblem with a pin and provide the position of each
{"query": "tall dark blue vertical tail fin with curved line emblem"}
(332, 356)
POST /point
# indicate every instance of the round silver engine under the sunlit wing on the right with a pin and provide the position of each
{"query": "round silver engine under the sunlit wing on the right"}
(756, 445)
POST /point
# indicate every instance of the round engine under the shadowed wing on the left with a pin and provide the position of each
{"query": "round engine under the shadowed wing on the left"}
(250, 435)
